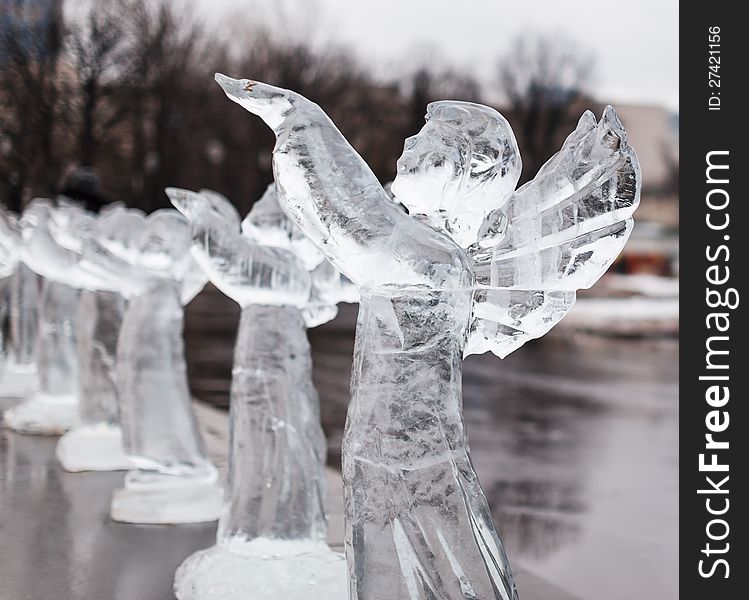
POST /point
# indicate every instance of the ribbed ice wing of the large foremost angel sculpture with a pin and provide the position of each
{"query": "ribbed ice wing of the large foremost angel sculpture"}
(558, 233)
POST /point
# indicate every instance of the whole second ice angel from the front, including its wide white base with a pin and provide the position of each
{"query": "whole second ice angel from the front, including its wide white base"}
(271, 534)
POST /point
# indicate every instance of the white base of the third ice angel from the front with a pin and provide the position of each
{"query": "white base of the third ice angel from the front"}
(155, 498)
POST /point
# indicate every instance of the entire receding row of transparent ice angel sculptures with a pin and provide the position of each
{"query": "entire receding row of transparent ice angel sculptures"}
(452, 261)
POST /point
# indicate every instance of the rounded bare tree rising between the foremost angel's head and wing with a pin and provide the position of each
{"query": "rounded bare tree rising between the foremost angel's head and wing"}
(545, 80)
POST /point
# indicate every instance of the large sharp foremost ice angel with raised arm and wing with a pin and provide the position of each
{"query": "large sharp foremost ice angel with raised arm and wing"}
(476, 265)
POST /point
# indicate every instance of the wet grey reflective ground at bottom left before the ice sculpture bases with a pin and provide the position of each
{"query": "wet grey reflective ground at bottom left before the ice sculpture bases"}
(57, 541)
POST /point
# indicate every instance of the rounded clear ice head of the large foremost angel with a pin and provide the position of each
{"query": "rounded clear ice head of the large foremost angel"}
(462, 163)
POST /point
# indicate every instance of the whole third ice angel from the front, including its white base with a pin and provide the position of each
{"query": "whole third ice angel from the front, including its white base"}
(174, 480)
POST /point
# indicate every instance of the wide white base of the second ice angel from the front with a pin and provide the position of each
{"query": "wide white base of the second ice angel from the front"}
(263, 569)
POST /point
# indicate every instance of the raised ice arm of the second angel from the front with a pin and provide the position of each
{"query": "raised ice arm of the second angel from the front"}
(238, 267)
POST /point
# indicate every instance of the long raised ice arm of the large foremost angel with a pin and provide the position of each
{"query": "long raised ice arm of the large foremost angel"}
(328, 190)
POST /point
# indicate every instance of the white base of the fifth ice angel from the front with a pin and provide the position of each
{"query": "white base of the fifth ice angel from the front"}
(43, 414)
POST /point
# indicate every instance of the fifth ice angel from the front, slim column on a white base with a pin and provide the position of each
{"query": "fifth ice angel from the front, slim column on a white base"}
(53, 408)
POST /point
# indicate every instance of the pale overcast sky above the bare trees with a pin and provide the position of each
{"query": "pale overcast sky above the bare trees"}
(635, 42)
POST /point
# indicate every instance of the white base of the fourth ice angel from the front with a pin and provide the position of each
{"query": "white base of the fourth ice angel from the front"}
(93, 448)
